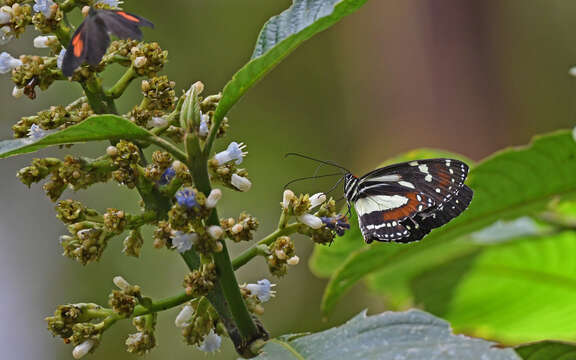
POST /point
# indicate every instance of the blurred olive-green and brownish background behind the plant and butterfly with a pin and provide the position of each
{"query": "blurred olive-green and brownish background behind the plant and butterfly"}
(462, 75)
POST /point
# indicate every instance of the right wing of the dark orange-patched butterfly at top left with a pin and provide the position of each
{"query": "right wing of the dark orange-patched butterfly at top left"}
(122, 24)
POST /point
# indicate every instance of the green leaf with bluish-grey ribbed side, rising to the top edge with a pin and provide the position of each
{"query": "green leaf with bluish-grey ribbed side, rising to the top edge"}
(279, 37)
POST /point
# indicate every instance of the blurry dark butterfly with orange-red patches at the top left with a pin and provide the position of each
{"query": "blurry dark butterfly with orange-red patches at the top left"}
(91, 40)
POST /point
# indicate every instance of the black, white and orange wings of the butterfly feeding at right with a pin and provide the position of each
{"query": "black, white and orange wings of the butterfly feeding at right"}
(404, 202)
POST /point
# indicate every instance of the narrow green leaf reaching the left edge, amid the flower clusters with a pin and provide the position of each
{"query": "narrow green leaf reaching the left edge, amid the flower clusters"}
(95, 128)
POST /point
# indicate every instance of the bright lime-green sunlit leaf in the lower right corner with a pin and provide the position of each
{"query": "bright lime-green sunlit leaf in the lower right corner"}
(513, 292)
